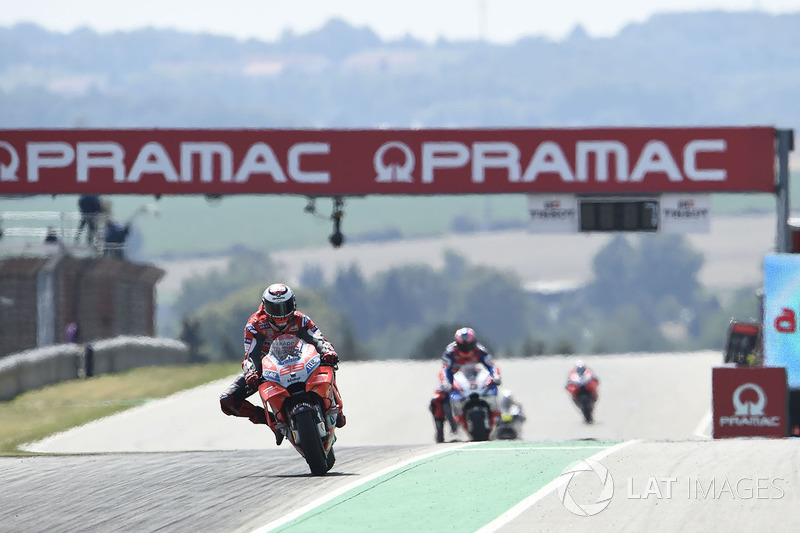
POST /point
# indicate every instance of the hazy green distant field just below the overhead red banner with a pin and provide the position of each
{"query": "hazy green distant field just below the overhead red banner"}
(190, 226)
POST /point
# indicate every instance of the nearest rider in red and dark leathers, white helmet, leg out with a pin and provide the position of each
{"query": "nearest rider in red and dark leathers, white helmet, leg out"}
(277, 315)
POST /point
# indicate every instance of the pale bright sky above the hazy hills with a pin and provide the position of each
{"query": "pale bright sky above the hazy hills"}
(496, 20)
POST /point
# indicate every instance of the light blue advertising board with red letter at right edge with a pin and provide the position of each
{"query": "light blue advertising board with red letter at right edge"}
(782, 313)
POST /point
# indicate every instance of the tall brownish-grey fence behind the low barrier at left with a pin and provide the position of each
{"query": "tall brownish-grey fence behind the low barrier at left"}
(106, 298)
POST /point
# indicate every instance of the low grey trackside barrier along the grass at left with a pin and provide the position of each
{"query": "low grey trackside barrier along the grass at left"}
(36, 368)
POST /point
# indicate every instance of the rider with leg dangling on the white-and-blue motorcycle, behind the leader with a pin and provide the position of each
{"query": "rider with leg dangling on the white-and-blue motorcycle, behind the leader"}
(464, 350)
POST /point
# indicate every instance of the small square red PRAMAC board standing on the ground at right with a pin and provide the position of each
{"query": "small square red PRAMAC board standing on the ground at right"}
(749, 402)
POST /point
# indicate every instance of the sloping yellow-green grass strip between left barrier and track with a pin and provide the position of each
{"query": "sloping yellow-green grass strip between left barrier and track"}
(36, 414)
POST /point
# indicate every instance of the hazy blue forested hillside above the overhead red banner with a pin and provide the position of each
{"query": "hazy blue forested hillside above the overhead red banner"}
(712, 68)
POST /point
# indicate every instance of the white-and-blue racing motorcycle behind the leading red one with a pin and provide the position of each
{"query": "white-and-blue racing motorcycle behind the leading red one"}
(474, 401)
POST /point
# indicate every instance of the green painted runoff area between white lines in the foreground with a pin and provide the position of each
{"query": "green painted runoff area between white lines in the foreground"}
(461, 490)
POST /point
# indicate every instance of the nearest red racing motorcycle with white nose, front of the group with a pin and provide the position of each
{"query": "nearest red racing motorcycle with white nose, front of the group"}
(298, 392)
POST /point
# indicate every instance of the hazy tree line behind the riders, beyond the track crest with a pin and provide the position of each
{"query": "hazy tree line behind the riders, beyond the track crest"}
(644, 297)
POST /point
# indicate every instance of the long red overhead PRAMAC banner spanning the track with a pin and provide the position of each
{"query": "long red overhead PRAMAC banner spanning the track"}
(353, 162)
